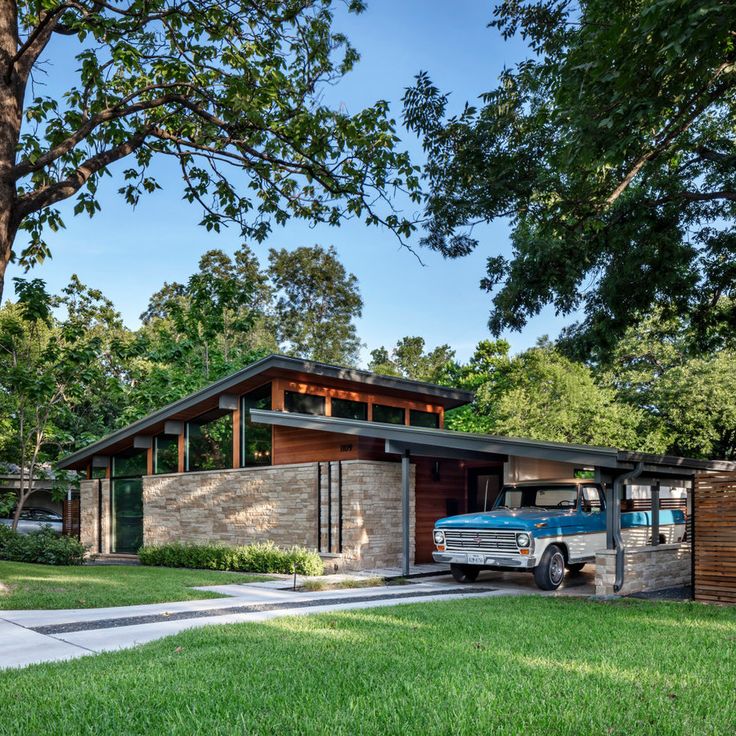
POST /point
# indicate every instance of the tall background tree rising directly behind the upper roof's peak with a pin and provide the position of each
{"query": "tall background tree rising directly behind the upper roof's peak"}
(317, 301)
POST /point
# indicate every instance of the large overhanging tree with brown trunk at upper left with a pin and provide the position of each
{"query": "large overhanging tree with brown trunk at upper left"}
(231, 90)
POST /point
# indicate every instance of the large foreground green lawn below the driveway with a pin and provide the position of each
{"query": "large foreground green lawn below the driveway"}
(527, 665)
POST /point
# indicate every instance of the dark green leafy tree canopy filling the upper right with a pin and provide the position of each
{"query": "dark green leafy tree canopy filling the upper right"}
(610, 149)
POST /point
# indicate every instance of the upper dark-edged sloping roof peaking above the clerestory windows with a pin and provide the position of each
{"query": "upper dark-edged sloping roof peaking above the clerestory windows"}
(254, 375)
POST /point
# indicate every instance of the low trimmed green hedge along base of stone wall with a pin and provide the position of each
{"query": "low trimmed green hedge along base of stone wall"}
(267, 558)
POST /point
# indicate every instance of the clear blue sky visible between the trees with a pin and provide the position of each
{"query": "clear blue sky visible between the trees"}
(130, 253)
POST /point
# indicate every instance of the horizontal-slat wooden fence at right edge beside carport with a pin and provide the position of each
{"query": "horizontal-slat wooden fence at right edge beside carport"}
(714, 540)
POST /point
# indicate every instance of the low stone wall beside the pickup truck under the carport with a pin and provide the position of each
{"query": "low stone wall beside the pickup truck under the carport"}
(645, 569)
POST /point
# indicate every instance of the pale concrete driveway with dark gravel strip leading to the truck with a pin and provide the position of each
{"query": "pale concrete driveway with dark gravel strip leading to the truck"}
(28, 637)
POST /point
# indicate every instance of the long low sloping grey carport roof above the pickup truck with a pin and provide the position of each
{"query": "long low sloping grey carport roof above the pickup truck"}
(448, 443)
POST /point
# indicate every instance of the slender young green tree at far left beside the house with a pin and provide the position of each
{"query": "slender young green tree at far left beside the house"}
(47, 365)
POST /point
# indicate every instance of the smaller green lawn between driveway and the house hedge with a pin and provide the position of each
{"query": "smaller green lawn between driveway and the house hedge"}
(23, 585)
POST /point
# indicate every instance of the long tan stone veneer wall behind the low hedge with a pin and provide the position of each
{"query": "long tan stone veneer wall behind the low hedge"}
(279, 504)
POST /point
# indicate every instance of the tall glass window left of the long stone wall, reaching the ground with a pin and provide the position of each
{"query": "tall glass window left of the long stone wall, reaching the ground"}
(127, 502)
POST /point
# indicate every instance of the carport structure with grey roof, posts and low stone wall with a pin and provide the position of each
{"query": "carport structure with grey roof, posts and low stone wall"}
(621, 570)
